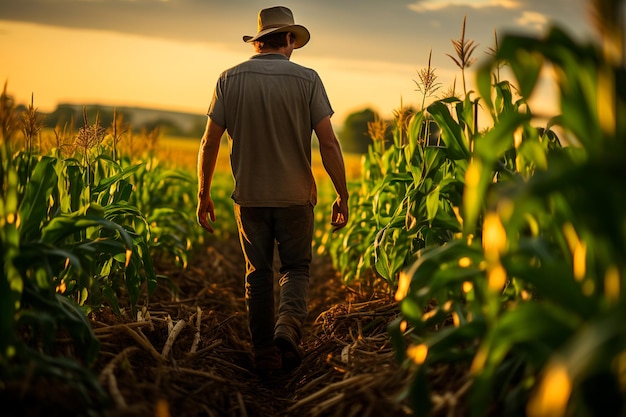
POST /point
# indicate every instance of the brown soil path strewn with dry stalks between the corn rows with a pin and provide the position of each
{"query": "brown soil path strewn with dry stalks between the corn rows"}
(187, 352)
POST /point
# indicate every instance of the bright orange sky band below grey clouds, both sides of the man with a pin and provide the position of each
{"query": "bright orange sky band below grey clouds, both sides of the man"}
(87, 66)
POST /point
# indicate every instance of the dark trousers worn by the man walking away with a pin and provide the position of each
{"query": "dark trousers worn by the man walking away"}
(291, 228)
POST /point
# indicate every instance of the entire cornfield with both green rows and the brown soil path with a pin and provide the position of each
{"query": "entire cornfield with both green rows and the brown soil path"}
(481, 273)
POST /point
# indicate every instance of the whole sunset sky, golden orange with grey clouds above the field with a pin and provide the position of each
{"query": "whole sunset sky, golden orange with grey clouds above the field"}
(167, 54)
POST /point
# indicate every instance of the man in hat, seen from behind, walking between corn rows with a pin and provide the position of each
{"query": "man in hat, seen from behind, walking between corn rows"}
(269, 107)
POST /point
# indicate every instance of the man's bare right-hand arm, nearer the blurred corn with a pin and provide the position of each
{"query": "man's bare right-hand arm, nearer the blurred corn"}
(332, 159)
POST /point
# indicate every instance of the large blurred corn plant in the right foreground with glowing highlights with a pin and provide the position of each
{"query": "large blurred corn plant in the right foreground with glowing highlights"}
(530, 295)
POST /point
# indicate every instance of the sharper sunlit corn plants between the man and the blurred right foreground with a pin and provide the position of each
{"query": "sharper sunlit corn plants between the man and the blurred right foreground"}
(410, 194)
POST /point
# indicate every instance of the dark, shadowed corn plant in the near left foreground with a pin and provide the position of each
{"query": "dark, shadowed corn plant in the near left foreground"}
(34, 311)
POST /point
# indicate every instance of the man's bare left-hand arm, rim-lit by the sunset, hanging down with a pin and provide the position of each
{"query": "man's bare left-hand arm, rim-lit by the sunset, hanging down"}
(207, 158)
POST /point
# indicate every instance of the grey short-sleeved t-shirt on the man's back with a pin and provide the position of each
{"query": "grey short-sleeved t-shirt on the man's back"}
(269, 107)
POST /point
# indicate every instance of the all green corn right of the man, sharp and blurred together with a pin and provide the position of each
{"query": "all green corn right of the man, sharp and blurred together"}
(504, 247)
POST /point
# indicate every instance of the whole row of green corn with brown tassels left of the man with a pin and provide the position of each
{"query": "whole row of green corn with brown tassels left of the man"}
(73, 241)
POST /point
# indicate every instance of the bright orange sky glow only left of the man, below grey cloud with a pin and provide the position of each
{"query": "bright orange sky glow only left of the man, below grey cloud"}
(110, 68)
